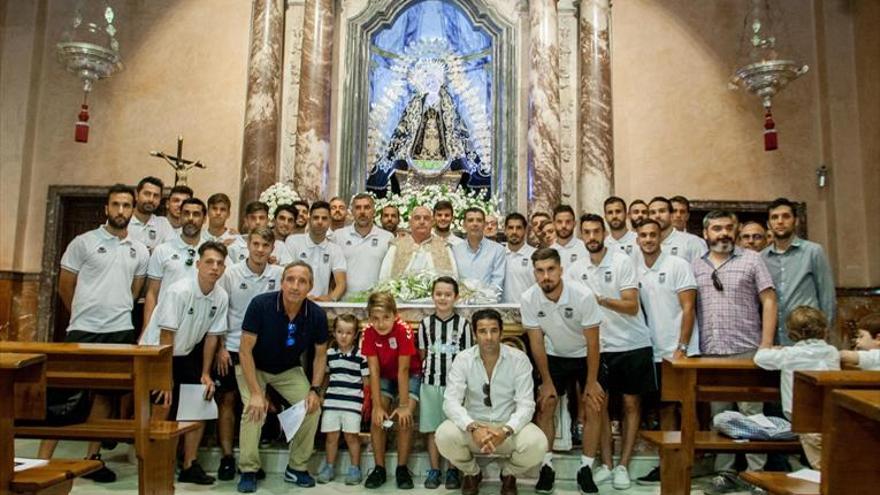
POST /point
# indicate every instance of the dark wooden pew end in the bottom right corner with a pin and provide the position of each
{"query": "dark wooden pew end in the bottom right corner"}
(852, 443)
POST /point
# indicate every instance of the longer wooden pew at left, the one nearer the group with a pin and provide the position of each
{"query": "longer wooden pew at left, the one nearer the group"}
(119, 367)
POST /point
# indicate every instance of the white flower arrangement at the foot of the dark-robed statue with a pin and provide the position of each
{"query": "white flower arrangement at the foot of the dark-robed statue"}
(409, 198)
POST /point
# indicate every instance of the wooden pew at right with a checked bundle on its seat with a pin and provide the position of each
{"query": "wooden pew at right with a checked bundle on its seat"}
(692, 380)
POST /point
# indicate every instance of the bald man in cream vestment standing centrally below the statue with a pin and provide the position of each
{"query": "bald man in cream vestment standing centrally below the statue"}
(419, 250)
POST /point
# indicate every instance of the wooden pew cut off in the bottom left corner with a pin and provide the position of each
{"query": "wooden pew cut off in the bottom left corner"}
(25, 376)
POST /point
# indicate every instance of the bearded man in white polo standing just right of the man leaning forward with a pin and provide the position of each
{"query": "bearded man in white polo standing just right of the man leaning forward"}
(627, 354)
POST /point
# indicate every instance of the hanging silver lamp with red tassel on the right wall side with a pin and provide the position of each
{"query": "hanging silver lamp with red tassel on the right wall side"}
(764, 74)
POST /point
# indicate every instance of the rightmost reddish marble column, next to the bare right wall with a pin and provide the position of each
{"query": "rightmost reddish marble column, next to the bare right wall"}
(596, 150)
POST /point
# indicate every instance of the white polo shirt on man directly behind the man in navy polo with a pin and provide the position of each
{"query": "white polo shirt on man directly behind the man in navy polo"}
(241, 285)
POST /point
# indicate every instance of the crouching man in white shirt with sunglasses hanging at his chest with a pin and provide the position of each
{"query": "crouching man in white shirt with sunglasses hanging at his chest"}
(489, 404)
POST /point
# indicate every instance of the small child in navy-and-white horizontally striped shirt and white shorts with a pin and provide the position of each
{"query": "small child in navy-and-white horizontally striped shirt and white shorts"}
(344, 399)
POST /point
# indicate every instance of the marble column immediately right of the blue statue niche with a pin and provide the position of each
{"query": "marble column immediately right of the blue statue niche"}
(543, 137)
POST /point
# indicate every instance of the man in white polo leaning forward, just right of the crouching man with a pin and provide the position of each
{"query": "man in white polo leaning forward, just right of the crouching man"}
(562, 321)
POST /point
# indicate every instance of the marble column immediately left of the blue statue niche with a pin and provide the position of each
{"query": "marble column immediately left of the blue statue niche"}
(313, 121)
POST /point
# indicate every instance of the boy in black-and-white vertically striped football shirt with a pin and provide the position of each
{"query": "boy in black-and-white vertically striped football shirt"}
(442, 335)
